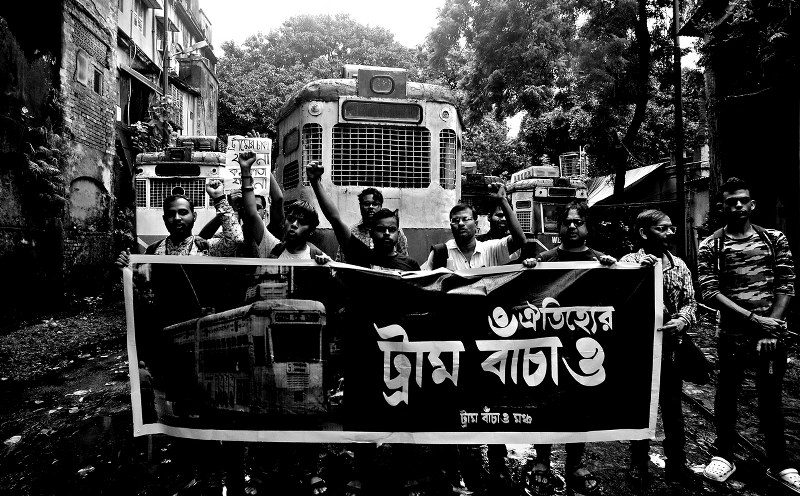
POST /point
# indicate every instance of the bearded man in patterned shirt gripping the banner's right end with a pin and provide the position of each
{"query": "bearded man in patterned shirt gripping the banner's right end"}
(654, 229)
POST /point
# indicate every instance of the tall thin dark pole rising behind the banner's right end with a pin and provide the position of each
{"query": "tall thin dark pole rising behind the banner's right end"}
(679, 170)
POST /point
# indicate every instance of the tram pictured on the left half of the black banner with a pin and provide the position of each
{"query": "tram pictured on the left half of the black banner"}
(265, 357)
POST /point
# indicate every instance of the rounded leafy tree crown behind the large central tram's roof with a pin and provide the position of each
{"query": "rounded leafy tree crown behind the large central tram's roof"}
(257, 77)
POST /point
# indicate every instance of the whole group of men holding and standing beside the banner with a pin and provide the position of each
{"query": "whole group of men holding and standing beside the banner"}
(743, 270)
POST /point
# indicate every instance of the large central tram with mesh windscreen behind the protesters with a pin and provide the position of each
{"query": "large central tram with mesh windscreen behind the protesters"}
(375, 128)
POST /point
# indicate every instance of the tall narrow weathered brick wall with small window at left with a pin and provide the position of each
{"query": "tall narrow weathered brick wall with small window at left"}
(90, 99)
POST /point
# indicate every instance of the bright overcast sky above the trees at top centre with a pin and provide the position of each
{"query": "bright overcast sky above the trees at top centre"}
(409, 20)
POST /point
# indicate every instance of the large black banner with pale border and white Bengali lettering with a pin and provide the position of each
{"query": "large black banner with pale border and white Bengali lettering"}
(248, 349)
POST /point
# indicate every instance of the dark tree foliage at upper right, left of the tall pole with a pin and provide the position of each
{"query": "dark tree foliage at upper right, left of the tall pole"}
(585, 72)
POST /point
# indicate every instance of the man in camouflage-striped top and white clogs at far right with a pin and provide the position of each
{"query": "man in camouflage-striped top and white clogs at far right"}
(747, 273)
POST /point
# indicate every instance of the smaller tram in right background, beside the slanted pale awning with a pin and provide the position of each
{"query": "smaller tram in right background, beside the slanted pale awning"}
(536, 193)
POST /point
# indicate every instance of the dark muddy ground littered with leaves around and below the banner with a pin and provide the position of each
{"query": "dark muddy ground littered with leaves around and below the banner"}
(66, 423)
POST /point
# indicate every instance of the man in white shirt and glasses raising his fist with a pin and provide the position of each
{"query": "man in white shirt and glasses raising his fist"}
(464, 251)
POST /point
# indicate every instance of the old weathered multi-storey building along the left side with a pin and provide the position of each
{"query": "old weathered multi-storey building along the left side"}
(72, 91)
